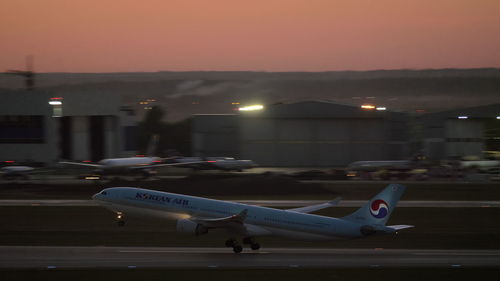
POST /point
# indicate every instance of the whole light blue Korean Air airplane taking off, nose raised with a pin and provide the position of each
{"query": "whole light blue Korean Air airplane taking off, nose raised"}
(198, 215)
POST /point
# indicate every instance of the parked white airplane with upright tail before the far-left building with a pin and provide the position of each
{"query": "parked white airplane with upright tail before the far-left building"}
(127, 165)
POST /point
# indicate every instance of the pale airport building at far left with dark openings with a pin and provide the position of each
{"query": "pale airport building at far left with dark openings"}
(36, 126)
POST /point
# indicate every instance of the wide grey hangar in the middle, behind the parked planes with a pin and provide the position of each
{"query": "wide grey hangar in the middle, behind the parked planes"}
(304, 134)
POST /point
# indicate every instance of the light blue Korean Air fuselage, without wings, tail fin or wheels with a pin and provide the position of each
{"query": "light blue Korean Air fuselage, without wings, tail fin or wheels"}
(259, 220)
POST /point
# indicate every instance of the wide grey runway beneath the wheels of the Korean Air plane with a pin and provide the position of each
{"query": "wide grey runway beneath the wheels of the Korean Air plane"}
(138, 257)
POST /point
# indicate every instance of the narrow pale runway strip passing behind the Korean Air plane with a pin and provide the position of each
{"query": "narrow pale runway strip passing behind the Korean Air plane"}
(274, 203)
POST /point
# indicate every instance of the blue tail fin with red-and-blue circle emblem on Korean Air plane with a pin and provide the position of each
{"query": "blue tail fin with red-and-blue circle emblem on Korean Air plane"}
(378, 210)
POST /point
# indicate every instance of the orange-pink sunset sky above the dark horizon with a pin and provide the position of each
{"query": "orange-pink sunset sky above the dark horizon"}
(268, 35)
